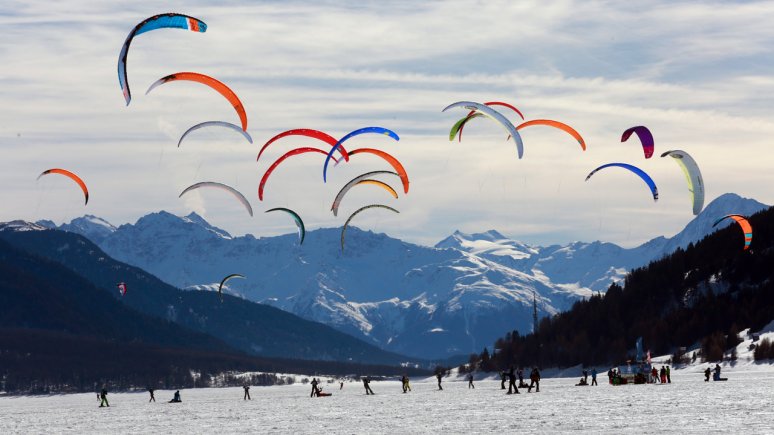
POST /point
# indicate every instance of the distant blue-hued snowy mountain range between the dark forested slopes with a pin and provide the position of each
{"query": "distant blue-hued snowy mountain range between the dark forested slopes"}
(456, 297)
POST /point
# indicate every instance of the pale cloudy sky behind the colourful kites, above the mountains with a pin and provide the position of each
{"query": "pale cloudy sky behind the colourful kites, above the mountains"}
(699, 75)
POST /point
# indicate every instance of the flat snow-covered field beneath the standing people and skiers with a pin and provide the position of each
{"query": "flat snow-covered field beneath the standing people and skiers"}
(688, 405)
